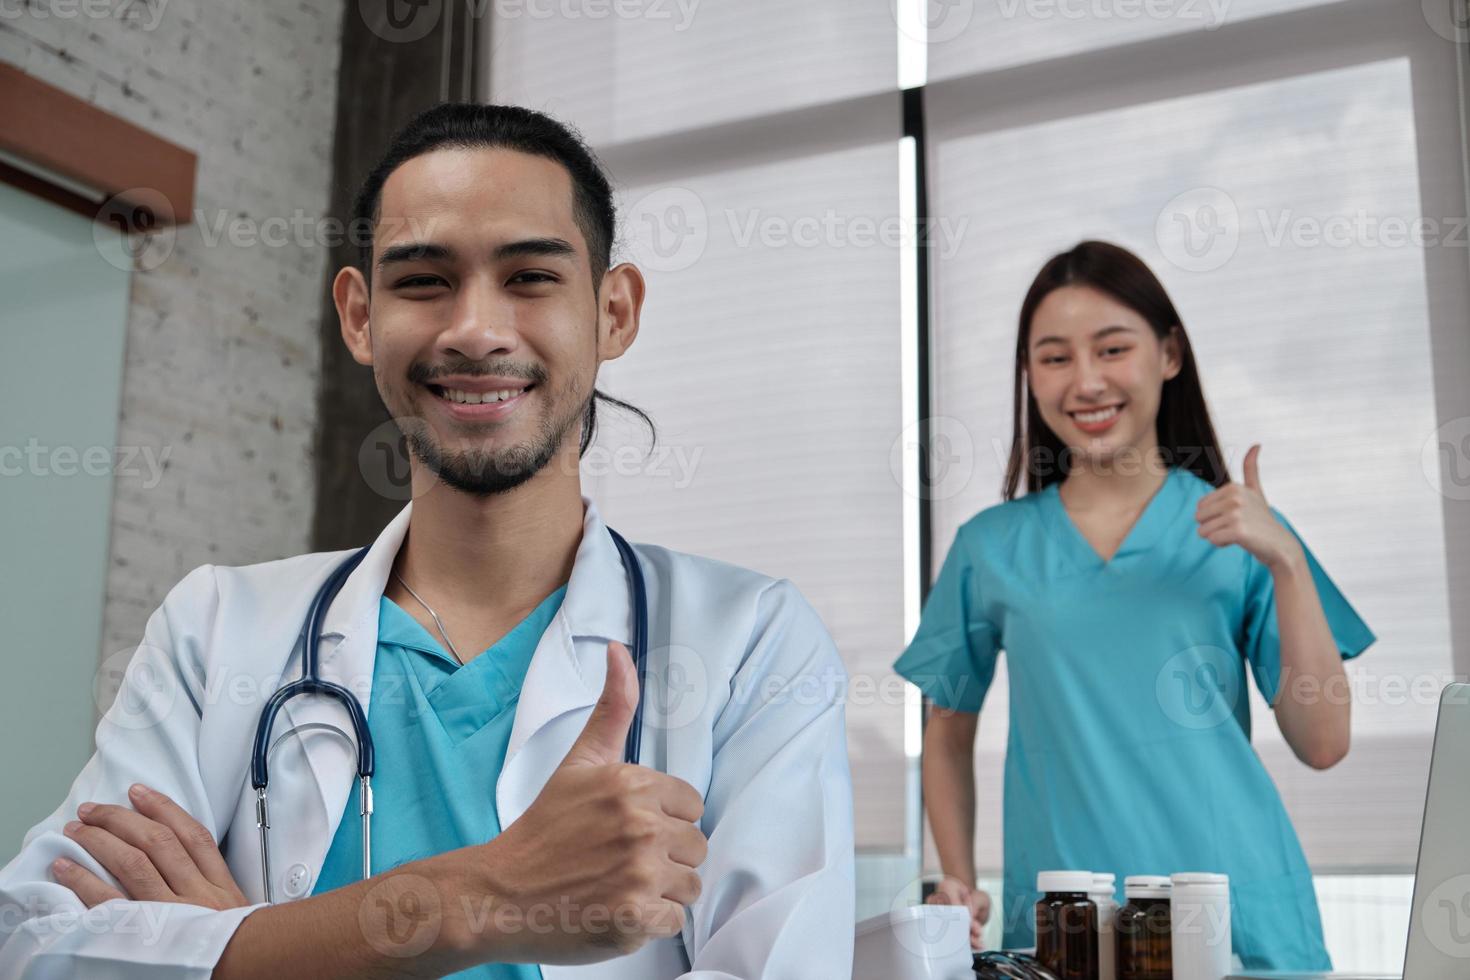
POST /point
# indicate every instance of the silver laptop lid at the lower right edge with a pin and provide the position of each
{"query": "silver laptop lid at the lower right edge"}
(1440, 916)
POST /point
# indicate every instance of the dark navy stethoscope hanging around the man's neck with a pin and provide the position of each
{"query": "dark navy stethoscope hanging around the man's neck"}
(312, 684)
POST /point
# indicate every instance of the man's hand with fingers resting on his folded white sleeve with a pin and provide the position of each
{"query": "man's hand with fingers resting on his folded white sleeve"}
(158, 854)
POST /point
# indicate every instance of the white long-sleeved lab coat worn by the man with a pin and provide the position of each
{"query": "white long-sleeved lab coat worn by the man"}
(745, 703)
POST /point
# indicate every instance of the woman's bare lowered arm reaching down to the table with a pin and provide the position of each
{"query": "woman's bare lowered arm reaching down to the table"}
(949, 796)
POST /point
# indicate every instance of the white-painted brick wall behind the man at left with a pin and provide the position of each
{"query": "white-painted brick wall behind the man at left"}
(223, 352)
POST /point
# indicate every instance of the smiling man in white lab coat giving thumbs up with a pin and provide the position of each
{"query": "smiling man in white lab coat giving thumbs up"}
(727, 854)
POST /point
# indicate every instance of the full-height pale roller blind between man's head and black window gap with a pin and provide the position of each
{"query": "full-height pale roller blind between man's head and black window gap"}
(756, 155)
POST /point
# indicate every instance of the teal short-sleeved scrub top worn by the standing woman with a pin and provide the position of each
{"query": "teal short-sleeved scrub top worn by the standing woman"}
(1130, 747)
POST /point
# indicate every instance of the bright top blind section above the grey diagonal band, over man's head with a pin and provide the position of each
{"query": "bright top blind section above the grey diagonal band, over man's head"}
(633, 70)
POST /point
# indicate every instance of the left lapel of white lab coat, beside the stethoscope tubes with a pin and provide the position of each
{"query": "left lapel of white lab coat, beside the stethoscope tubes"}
(349, 650)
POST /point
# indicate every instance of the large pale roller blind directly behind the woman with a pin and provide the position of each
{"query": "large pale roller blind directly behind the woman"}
(1280, 209)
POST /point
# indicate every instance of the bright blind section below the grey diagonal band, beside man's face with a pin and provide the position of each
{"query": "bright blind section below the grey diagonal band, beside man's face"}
(770, 362)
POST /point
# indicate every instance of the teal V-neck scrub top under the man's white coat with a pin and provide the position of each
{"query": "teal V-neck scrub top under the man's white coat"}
(440, 732)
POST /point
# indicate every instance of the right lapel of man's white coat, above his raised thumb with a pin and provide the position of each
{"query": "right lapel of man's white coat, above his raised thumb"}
(568, 668)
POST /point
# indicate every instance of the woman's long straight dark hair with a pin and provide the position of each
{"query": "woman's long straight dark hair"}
(1186, 434)
